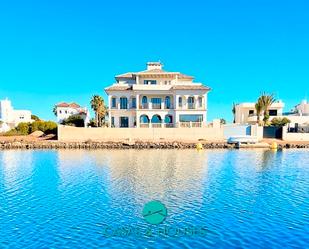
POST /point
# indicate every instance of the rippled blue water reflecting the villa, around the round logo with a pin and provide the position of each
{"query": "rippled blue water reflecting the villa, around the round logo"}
(94, 199)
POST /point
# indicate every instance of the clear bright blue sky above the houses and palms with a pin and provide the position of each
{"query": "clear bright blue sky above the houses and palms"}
(52, 51)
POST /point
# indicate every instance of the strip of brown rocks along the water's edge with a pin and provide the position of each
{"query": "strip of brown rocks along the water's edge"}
(5, 145)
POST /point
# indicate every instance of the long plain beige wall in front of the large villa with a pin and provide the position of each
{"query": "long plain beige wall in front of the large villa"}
(68, 133)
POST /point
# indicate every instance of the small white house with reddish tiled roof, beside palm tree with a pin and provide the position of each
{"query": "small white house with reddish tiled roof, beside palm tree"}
(65, 110)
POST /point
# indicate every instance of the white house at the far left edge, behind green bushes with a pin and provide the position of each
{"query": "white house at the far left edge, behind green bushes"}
(10, 118)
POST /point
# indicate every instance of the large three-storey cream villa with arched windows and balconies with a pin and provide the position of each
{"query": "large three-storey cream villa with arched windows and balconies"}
(156, 98)
